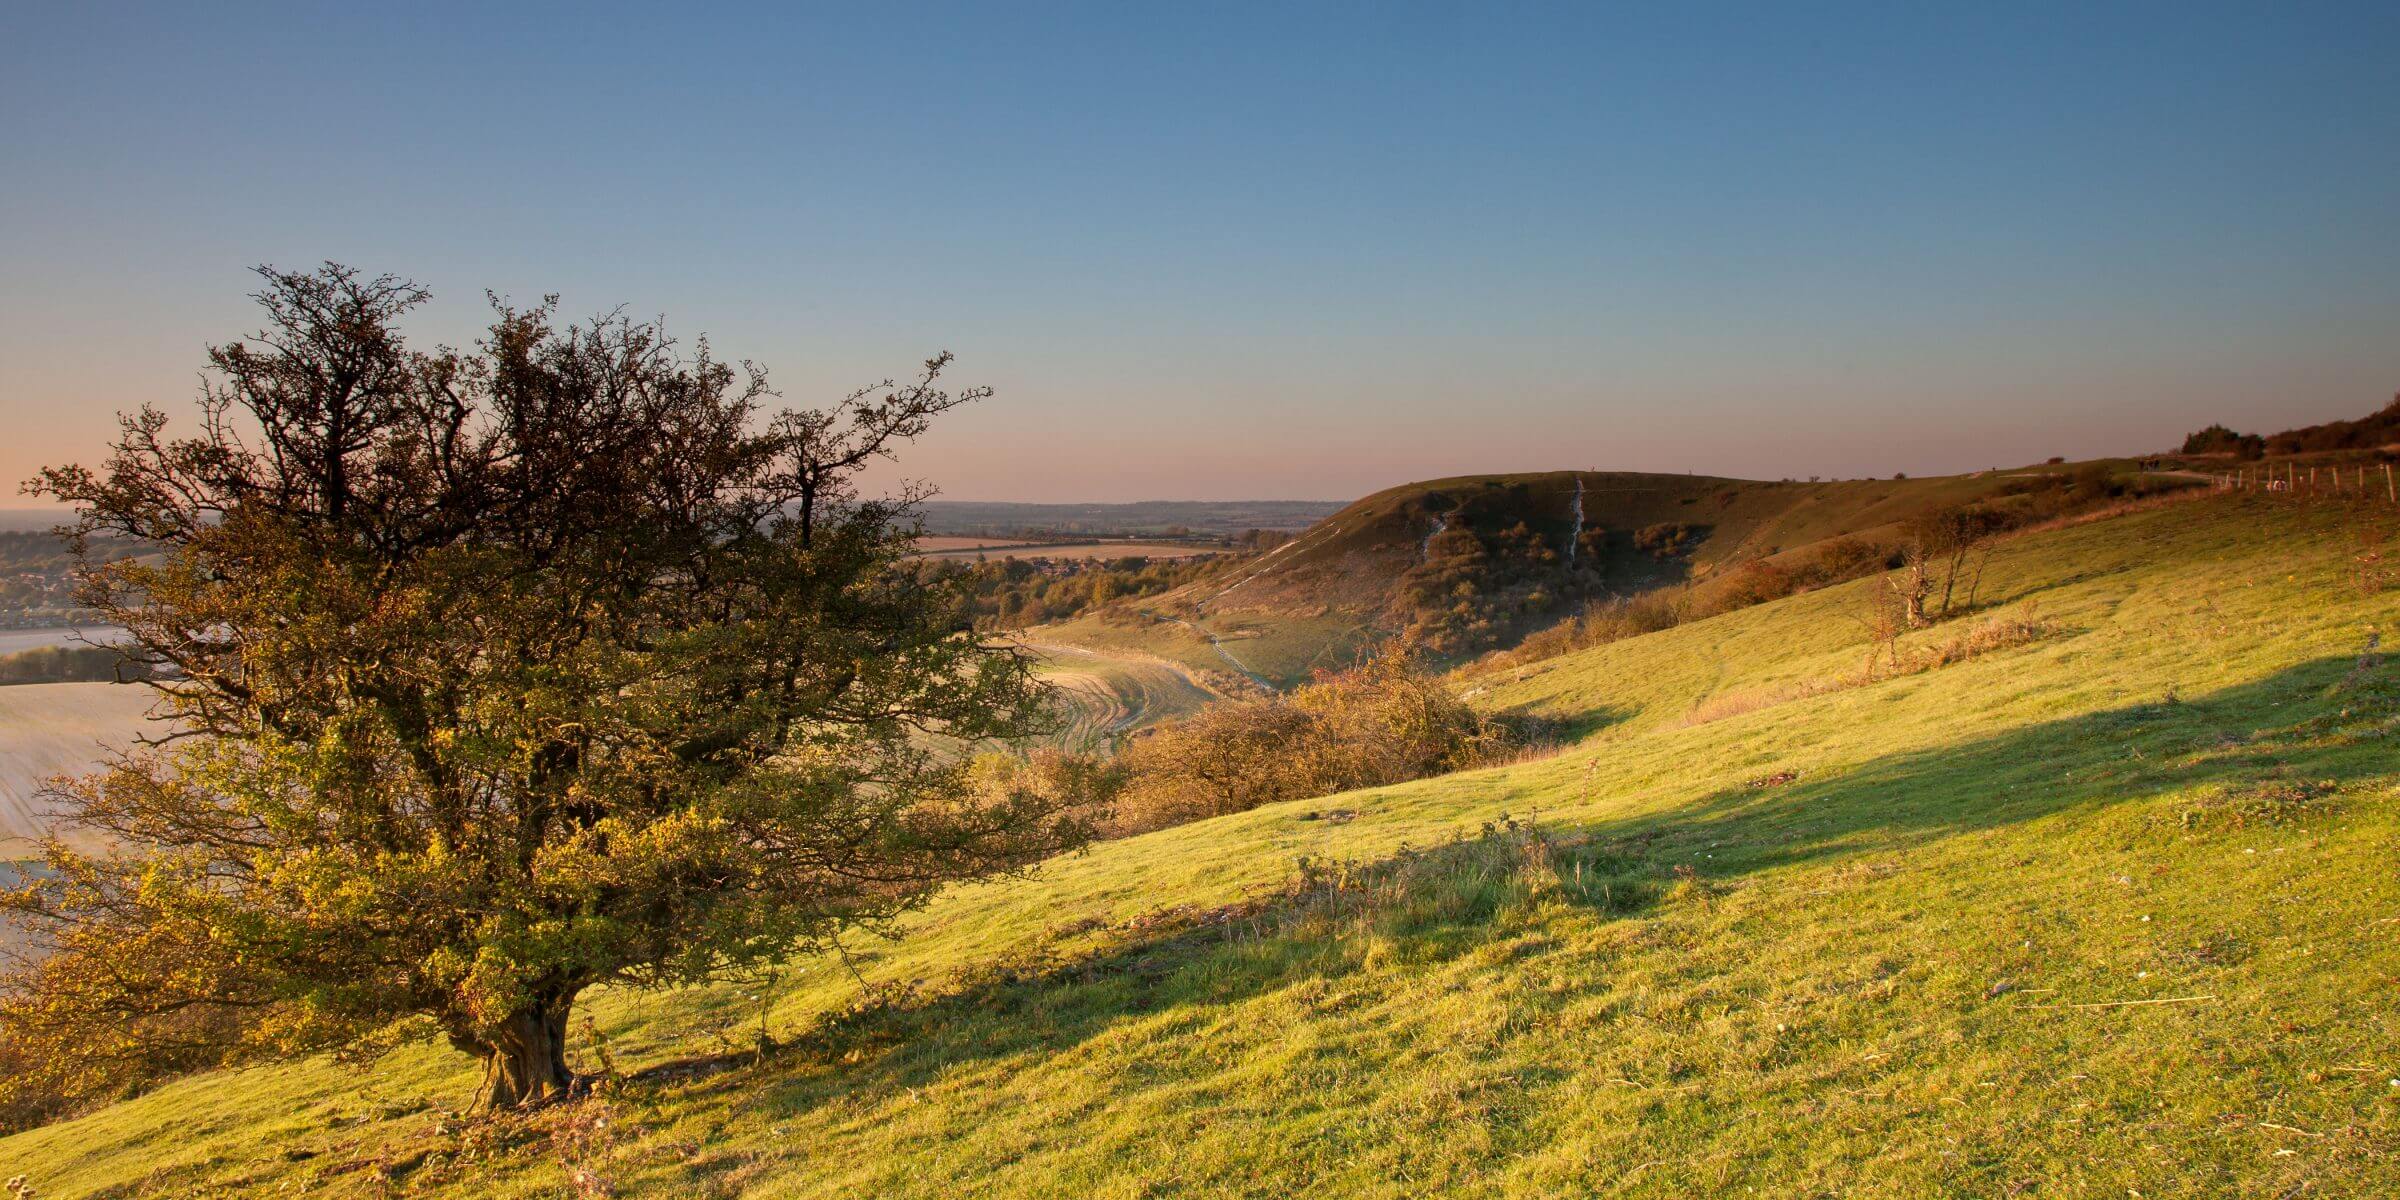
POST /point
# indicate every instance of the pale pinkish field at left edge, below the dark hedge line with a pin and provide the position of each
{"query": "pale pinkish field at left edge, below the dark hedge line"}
(56, 731)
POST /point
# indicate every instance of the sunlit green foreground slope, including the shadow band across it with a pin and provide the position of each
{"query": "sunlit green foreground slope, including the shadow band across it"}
(2099, 916)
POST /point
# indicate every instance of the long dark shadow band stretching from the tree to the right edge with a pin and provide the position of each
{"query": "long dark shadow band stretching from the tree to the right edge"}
(1441, 904)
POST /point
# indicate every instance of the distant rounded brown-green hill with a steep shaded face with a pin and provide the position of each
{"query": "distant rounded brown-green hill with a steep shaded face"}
(1475, 563)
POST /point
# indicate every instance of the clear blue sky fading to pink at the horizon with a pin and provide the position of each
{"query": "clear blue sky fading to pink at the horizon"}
(1280, 251)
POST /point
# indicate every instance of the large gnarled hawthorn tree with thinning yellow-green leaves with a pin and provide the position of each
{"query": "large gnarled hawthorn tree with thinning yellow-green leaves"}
(496, 676)
